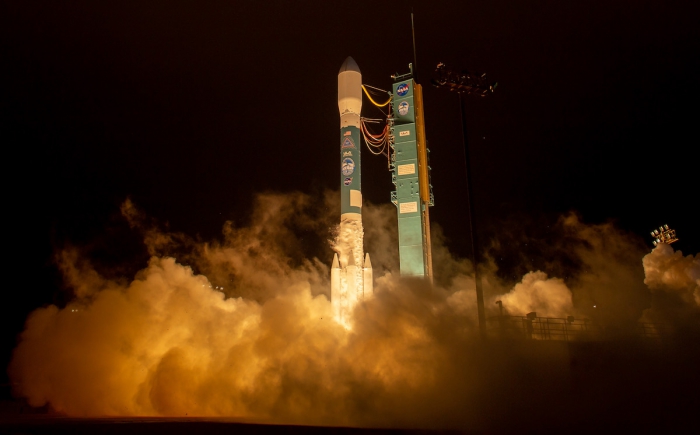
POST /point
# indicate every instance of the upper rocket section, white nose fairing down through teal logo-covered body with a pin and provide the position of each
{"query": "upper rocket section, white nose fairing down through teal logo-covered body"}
(349, 105)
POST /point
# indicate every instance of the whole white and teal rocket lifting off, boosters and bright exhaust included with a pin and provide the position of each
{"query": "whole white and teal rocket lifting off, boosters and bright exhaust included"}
(351, 274)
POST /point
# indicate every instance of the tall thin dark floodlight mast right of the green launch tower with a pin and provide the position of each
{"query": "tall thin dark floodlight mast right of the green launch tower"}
(463, 84)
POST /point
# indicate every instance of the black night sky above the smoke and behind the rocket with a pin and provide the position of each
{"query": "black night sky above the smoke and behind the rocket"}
(191, 108)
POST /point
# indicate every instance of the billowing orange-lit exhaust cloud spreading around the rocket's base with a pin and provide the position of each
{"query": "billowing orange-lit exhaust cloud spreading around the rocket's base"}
(252, 335)
